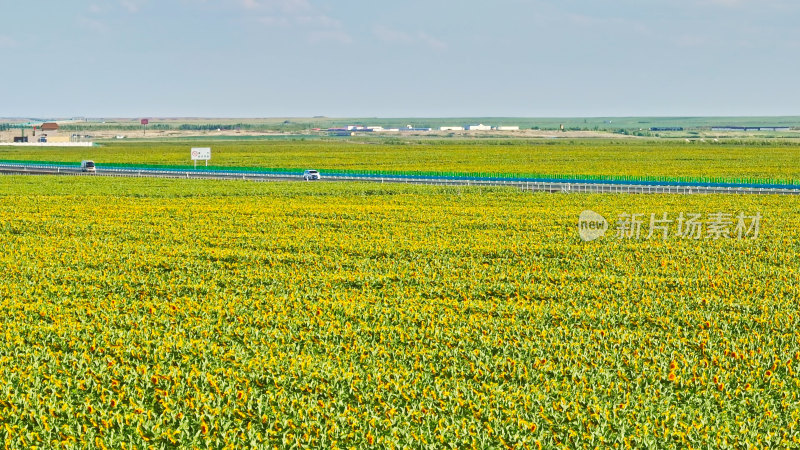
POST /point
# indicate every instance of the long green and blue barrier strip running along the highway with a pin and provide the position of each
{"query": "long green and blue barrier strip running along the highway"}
(722, 182)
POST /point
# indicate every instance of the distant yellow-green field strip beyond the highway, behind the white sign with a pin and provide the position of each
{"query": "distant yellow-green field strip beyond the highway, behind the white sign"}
(759, 159)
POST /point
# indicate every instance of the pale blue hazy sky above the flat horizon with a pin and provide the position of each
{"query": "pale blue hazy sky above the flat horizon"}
(356, 58)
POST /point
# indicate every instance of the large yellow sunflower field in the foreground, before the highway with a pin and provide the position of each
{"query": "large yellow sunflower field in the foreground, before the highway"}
(198, 314)
